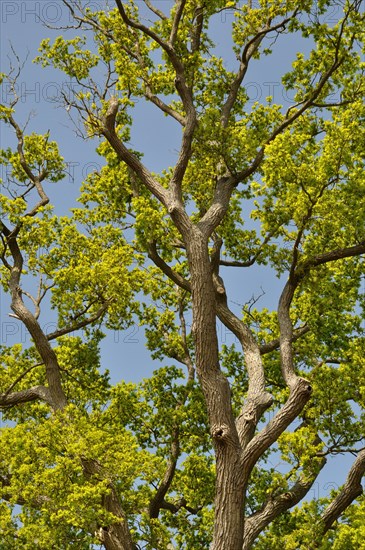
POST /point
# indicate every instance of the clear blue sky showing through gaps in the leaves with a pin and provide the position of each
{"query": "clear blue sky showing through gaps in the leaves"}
(158, 137)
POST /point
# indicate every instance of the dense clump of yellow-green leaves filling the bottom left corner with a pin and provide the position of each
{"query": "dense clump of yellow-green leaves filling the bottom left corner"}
(48, 457)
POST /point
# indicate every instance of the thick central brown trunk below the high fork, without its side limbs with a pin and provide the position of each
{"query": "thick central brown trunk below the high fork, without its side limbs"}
(230, 489)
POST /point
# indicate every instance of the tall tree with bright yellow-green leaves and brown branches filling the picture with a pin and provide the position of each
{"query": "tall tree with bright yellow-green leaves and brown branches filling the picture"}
(181, 459)
